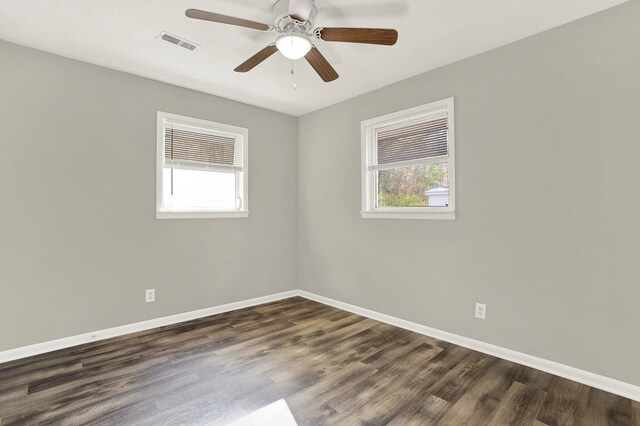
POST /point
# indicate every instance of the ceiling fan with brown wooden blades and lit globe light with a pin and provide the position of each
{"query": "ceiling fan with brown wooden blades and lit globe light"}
(294, 23)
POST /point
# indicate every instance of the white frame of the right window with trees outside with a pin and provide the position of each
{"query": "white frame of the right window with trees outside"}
(369, 167)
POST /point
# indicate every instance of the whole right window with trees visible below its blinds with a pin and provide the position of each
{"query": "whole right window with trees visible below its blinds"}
(408, 164)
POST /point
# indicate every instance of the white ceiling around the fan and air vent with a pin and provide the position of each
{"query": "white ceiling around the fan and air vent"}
(121, 34)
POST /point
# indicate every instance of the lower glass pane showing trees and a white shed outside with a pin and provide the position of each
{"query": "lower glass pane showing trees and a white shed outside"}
(416, 186)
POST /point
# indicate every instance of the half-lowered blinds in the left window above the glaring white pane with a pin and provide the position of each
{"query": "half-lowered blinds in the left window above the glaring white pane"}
(200, 149)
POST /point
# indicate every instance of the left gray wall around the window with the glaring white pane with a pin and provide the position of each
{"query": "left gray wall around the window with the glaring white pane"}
(79, 241)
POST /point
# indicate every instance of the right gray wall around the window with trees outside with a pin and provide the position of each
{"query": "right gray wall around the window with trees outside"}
(547, 230)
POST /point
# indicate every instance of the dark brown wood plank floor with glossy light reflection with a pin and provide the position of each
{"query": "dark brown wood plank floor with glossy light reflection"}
(331, 367)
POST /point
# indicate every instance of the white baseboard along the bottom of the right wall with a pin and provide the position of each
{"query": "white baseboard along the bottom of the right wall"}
(577, 375)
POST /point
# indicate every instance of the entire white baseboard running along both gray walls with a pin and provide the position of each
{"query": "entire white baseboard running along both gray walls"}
(581, 376)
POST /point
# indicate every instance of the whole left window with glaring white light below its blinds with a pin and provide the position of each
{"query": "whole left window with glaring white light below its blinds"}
(202, 169)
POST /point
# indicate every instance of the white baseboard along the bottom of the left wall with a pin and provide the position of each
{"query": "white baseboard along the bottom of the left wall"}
(66, 342)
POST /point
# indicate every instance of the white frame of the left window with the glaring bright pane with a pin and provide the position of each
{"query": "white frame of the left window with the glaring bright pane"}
(242, 188)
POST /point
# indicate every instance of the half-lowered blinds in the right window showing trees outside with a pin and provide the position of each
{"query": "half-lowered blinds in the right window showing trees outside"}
(416, 141)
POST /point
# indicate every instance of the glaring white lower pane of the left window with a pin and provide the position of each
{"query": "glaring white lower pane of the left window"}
(196, 189)
